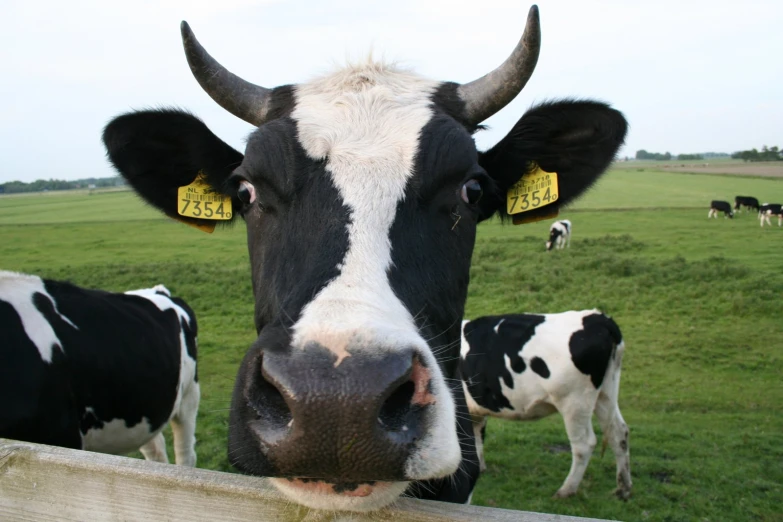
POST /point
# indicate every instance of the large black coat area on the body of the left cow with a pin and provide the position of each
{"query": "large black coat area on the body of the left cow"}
(123, 362)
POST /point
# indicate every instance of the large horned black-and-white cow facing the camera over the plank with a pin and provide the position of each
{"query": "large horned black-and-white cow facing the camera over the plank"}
(361, 191)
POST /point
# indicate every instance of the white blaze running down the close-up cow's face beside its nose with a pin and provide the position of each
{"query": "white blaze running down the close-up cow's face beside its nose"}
(365, 121)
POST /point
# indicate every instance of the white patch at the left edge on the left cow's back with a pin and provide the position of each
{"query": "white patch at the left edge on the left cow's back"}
(18, 290)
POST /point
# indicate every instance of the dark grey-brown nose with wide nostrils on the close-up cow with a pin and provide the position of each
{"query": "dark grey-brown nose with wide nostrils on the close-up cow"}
(355, 421)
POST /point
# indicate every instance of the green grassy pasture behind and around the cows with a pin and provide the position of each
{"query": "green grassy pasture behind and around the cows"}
(698, 301)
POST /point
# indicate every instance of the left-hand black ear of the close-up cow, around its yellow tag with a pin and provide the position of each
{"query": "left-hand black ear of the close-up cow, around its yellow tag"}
(158, 151)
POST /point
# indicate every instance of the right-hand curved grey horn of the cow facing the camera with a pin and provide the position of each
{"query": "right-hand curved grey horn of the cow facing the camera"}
(493, 91)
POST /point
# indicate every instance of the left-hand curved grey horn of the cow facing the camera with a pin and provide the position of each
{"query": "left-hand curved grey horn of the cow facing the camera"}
(243, 99)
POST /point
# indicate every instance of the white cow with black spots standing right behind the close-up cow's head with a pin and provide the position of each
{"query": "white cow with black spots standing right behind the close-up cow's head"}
(528, 366)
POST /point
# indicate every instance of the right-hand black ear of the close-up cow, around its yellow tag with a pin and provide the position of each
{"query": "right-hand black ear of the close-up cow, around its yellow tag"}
(575, 139)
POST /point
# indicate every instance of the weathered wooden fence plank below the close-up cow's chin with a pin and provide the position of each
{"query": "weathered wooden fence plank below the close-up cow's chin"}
(43, 483)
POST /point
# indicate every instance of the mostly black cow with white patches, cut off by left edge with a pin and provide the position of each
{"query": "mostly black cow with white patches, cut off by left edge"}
(98, 371)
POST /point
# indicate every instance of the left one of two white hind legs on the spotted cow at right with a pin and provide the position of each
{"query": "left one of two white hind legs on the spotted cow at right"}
(579, 426)
